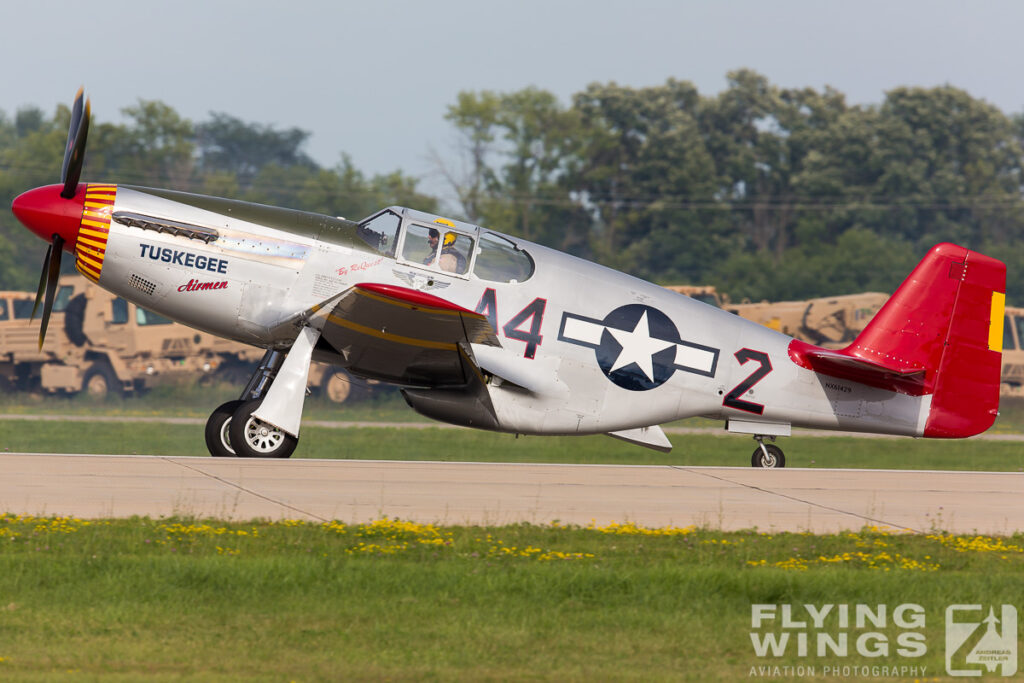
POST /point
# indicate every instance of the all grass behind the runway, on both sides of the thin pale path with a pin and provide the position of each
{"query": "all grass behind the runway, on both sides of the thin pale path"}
(437, 444)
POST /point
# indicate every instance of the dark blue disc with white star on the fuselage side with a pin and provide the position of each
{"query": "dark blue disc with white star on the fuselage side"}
(638, 348)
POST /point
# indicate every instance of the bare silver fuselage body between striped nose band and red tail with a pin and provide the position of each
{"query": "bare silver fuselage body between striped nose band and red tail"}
(268, 265)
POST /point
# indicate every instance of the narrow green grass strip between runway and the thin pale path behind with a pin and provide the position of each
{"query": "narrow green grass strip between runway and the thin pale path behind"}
(467, 445)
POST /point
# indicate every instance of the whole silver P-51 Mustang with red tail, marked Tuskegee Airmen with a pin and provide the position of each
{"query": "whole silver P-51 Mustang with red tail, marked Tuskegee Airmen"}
(490, 331)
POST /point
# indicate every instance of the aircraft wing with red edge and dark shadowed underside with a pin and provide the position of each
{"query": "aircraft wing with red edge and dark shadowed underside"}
(404, 336)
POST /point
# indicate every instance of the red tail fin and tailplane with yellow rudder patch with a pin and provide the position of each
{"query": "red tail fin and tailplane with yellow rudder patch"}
(940, 335)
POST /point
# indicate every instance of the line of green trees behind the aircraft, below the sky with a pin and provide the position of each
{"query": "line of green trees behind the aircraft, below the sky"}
(767, 193)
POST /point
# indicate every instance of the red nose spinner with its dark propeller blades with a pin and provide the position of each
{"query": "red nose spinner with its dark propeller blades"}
(55, 212)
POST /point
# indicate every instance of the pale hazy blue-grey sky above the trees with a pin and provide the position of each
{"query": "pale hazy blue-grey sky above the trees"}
(374, 78)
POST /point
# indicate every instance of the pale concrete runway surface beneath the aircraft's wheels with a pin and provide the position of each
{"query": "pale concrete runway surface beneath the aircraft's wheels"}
(792, 499)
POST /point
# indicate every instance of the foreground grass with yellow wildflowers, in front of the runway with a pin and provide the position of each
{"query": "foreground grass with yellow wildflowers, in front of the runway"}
(202, 601)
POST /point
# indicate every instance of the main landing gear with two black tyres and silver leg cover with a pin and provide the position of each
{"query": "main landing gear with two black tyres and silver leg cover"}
(265, 421)
